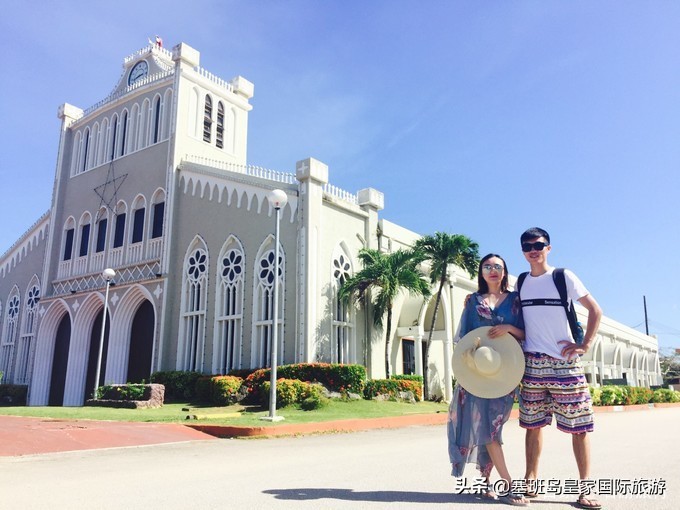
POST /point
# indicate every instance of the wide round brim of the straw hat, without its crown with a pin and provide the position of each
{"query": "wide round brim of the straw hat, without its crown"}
(504, 380)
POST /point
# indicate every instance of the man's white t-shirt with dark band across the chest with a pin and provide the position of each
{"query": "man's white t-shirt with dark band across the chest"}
(544, 325)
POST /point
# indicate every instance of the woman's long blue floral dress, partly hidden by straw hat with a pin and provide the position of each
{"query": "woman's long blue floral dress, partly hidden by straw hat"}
(473, 421)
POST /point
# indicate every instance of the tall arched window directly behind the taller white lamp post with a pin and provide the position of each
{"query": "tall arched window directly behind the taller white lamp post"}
(264, 305)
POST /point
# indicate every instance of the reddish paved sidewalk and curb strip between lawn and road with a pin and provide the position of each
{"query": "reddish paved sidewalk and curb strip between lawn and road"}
(31, 436)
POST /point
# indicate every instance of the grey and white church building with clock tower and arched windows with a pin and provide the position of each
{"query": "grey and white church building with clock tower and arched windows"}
(153, 182)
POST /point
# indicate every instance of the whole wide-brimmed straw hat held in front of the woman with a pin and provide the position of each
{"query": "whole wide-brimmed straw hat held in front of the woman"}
(488, 368)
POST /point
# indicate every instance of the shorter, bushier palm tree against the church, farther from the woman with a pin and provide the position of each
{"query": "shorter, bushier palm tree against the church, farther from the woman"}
(386, 274)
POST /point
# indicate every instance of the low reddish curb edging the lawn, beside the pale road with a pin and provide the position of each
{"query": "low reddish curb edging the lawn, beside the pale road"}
(356, 425)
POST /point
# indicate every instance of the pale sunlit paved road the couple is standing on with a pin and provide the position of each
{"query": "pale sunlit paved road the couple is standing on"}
(396, 469)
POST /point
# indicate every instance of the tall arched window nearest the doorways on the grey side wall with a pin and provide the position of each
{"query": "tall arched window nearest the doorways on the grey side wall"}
(194, 292)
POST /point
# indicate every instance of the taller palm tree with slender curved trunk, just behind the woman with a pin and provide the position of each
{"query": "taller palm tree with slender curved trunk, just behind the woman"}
(442, 249)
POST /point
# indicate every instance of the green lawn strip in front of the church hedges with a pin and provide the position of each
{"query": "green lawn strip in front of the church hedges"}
(232, 415)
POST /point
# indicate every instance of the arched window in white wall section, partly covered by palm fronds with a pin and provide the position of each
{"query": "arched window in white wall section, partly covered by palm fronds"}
(342, 346)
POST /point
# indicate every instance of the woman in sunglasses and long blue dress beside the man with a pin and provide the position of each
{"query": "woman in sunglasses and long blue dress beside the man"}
(475, 424)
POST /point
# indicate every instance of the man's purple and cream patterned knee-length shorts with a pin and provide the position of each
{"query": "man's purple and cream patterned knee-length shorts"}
(554, 386)
